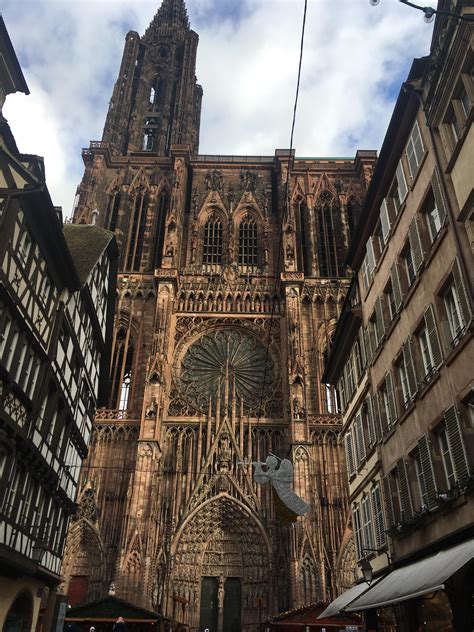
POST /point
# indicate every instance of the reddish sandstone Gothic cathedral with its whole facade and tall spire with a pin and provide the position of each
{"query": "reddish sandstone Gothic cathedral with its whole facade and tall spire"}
(227, 297)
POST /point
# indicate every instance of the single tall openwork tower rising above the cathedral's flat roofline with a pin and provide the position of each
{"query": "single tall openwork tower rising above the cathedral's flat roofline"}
(156, 101)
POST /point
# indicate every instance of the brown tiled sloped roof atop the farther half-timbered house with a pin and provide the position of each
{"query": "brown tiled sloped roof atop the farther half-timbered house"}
(86, 244)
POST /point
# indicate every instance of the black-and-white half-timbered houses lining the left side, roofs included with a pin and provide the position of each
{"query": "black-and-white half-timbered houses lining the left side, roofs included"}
(56, 305)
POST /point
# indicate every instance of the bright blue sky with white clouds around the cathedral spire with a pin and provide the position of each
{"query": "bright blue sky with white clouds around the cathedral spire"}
(355, 58)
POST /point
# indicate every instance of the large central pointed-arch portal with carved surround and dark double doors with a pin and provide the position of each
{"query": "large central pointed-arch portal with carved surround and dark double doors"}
(221, 571)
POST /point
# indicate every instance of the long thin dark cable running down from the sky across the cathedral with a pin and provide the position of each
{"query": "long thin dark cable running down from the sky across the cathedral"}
(285, 214)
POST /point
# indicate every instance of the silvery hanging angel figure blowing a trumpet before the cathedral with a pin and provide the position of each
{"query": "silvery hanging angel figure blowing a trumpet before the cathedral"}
(289, 504)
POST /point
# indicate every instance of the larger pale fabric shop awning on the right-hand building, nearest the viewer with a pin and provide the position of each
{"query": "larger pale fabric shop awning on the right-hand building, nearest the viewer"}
(421, 577)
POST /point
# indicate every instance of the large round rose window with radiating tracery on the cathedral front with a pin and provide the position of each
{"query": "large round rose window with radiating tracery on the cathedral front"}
(231, 356)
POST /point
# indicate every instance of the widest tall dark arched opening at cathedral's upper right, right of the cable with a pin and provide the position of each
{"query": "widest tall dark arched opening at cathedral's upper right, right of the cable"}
(330, 238)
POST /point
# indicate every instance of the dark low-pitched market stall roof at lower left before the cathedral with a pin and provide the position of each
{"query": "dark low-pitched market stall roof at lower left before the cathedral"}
(111, 607)
